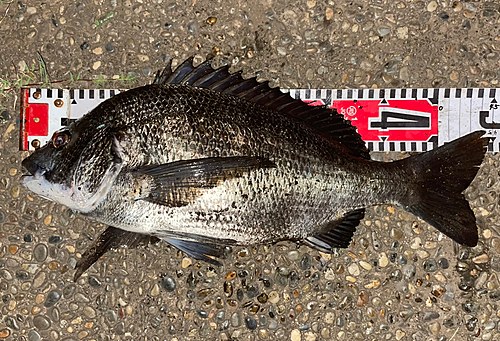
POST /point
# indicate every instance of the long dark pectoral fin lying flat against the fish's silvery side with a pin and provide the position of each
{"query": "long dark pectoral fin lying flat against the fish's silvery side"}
(179, 183)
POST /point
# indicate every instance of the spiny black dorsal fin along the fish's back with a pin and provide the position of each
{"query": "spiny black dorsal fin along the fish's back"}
(327, 122)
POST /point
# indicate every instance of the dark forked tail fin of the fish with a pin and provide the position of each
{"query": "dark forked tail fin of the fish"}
(440, 177)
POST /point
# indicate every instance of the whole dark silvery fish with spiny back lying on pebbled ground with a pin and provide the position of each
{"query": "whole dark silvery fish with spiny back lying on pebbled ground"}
(205, 160)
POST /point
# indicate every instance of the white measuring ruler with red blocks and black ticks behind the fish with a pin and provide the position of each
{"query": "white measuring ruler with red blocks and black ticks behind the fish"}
(388, 119)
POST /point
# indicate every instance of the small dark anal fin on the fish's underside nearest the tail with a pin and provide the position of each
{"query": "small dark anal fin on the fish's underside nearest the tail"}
(337, 234)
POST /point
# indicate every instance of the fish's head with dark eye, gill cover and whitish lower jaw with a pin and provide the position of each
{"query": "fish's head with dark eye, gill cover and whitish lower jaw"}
(76, 168)
